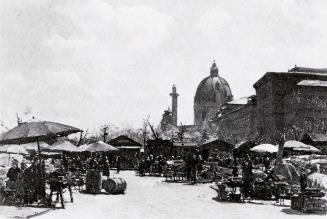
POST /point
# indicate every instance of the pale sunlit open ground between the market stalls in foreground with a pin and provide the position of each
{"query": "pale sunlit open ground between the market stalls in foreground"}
(150, 197)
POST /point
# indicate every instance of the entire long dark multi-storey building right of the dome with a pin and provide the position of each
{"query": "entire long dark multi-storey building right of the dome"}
(290, 104)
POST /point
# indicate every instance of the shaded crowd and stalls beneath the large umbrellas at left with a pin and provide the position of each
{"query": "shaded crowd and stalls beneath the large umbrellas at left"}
(26, 182)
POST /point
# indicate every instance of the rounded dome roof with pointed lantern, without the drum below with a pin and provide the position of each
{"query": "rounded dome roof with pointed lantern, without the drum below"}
(214, 89)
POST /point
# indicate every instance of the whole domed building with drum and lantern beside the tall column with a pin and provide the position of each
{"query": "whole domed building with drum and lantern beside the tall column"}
(211, 94)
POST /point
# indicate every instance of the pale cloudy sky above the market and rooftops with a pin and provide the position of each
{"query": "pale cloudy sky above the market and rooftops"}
(86, 63)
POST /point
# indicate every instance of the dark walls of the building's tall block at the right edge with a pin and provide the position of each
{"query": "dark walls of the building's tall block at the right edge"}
(278, 107)
